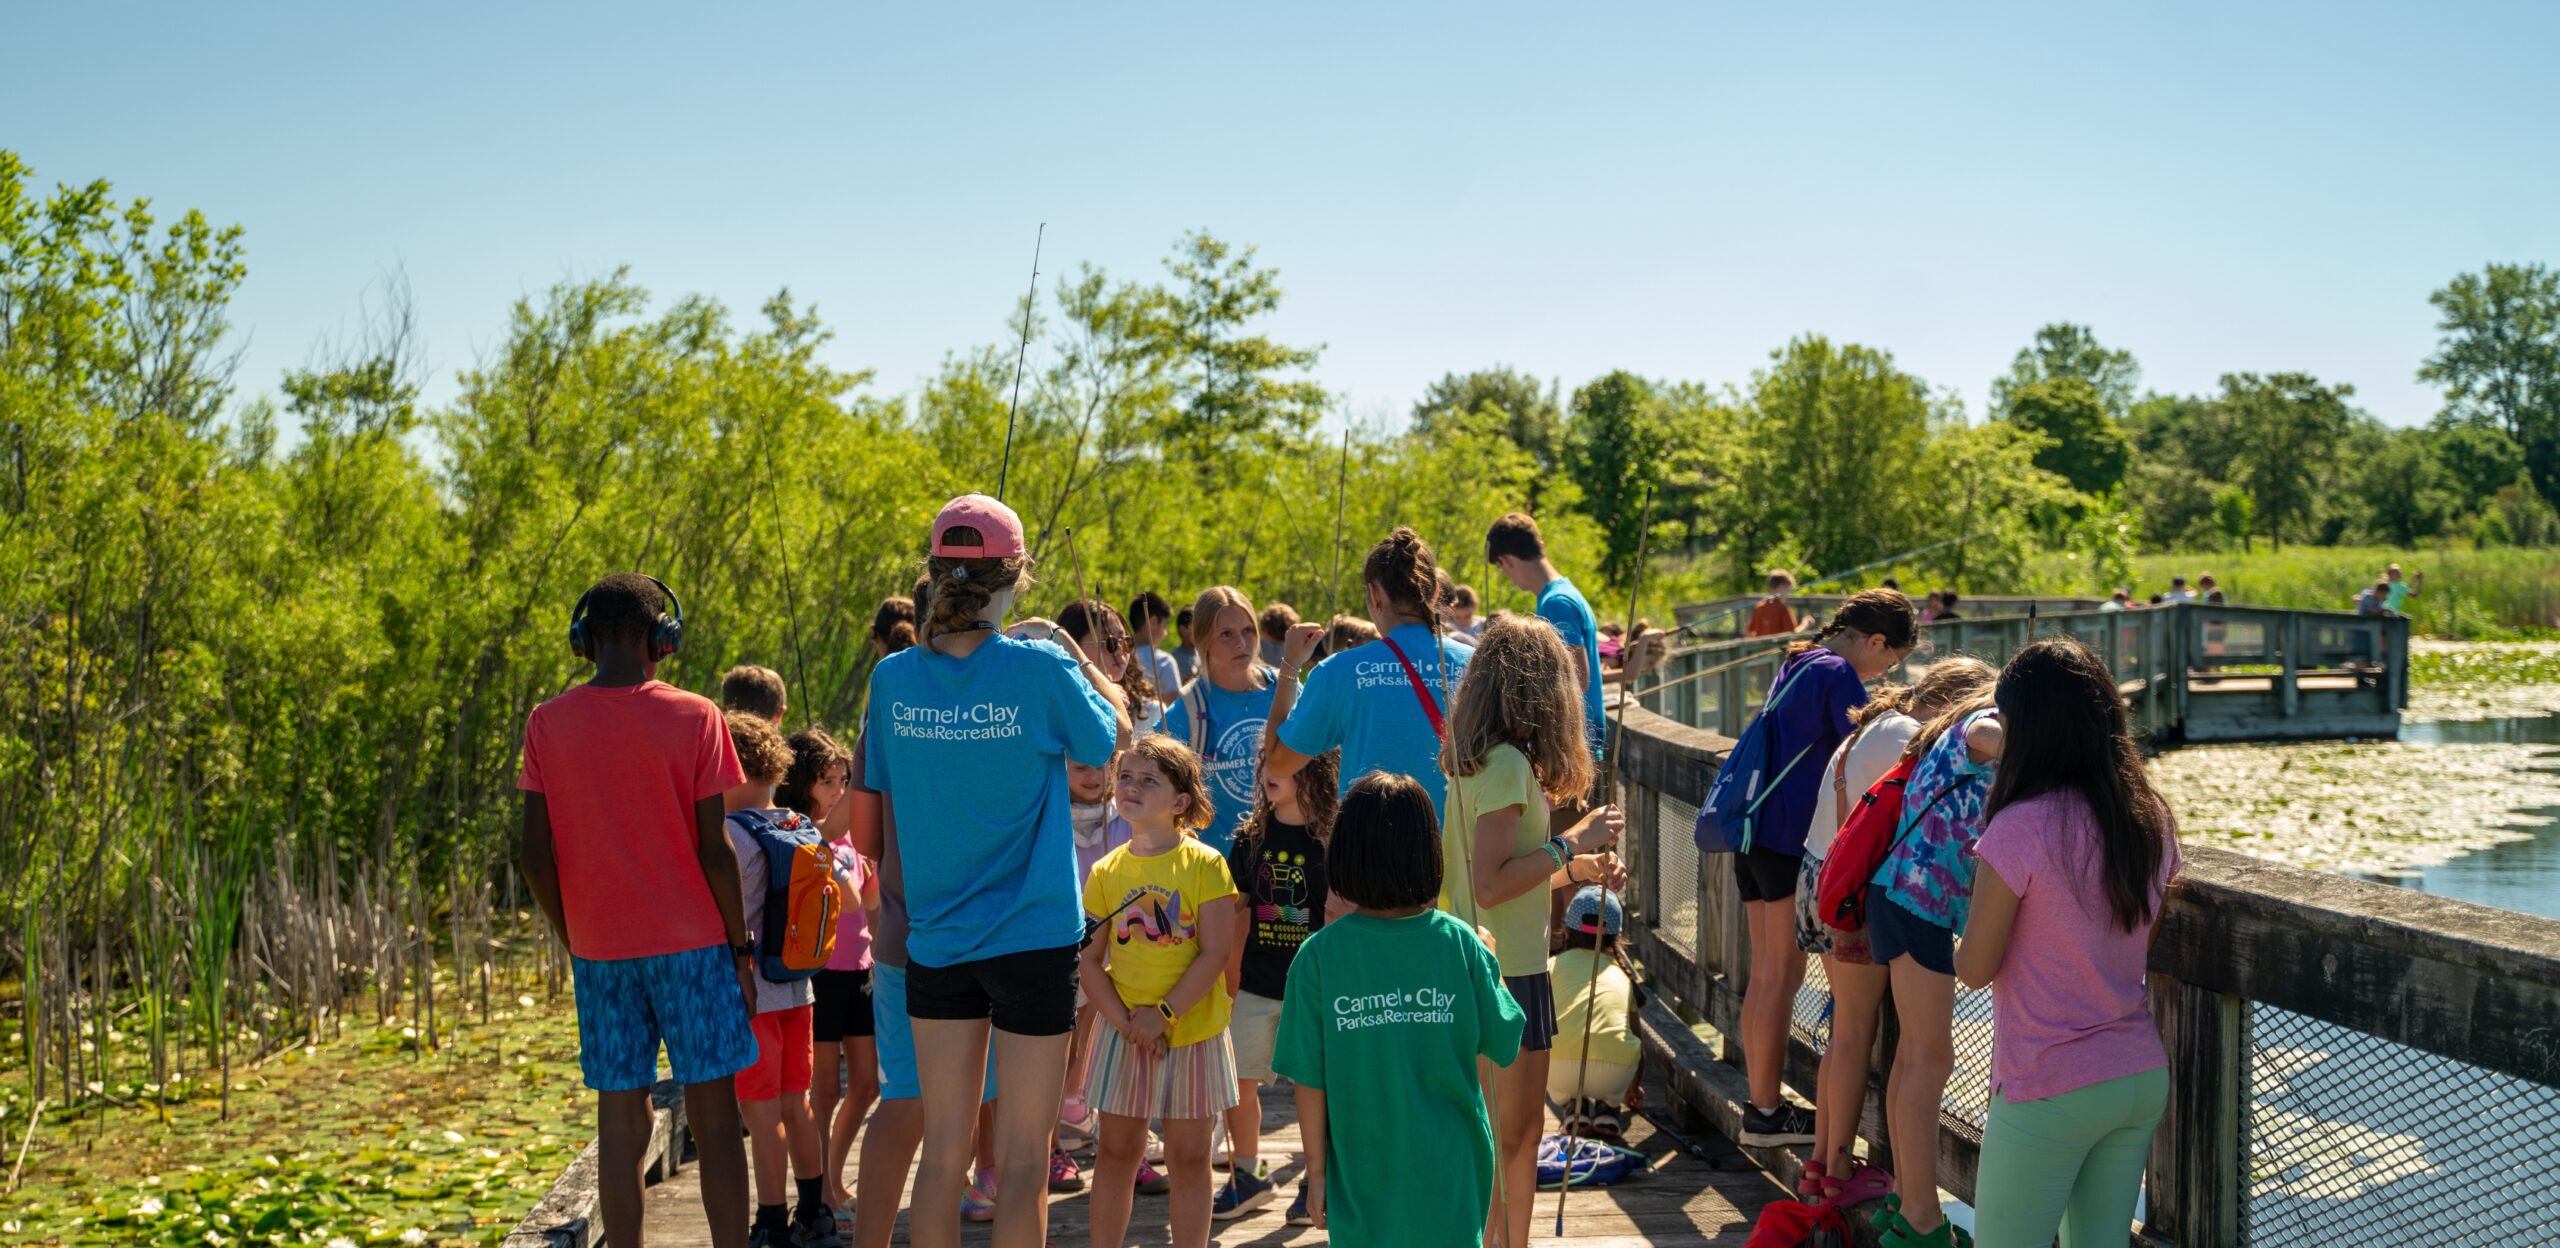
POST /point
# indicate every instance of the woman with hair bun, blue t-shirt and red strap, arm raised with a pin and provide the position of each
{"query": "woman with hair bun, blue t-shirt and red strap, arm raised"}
(1366, 702)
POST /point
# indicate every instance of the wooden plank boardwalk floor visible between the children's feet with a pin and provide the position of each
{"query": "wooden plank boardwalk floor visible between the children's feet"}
(1686, 1198)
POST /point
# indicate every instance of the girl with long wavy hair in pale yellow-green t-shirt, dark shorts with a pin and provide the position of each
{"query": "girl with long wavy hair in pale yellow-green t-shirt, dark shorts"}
(1514, 748)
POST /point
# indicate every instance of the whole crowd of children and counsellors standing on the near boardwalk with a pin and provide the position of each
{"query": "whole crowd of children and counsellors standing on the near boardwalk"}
(1061, 896)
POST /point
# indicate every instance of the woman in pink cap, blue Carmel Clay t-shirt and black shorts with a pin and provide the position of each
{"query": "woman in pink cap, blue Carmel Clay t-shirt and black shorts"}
(966, 740)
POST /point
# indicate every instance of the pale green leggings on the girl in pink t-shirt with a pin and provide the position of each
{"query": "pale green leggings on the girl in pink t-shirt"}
(2070, 1162)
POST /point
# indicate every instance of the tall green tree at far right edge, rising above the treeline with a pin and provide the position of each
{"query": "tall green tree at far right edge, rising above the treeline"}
(2500, 359)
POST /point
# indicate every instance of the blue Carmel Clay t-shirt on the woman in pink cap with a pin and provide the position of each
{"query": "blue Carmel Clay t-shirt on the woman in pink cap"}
(972, 753)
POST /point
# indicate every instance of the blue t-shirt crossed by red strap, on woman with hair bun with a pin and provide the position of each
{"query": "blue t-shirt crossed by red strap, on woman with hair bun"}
(1361, 702)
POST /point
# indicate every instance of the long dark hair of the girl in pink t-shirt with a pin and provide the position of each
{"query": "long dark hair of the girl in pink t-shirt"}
(2065, 728)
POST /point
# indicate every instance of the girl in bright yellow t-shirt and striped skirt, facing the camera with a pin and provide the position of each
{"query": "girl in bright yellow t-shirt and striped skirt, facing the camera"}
(1156, 978)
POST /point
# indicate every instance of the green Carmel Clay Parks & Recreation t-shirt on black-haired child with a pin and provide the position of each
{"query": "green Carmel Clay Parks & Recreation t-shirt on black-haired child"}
(1386, 1017)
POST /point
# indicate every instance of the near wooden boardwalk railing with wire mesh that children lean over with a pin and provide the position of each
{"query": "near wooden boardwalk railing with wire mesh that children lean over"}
(2305, 1017)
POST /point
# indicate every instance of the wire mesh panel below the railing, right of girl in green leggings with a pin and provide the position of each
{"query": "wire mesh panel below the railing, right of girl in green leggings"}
(2356, 1139)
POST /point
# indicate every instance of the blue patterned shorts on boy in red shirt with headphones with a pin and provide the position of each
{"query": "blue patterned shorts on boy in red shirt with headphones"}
(687, 1001)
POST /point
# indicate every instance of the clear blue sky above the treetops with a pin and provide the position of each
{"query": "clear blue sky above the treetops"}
(1560, 188)
